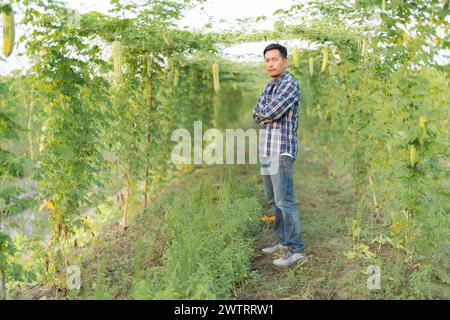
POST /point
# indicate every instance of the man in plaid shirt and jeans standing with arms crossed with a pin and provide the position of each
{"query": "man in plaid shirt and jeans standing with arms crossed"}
(277, 113)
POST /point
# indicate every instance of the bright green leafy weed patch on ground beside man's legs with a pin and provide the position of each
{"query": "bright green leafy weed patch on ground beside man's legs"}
(209, 236)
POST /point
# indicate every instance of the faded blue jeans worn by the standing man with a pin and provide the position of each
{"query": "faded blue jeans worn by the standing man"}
(279, 189)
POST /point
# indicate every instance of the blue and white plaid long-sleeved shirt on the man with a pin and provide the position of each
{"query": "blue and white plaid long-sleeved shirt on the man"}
(277, 113)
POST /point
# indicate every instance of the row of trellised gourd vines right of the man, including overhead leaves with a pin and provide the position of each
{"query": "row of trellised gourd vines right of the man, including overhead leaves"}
(378, 106)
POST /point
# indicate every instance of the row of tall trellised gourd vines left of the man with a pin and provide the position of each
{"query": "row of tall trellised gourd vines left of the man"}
(103, 95)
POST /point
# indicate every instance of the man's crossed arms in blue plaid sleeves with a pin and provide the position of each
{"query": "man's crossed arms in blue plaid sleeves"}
(286, 98)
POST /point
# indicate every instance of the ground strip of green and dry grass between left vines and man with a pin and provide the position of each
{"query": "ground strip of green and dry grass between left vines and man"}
(194, 242)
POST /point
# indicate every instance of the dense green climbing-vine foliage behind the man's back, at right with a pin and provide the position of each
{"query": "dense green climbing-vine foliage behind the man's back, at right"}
(386, 118)
